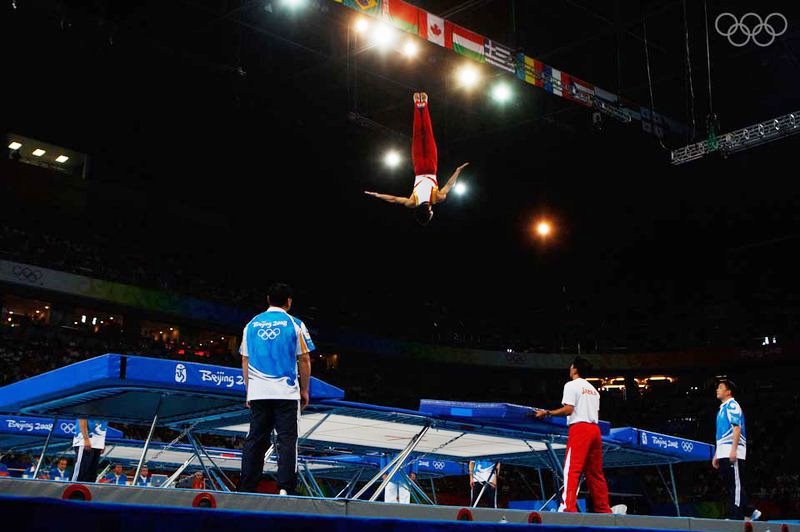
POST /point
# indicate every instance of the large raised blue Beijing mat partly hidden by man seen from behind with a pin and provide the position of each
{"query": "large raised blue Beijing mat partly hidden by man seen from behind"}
(133, 389)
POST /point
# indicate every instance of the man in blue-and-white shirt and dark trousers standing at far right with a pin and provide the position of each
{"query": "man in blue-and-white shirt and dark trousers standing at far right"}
(732, 451)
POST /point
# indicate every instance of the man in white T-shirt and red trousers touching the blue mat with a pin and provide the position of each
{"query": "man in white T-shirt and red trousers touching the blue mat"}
(584, 447)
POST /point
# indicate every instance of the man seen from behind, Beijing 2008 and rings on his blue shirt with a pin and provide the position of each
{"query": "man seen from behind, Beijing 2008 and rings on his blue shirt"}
(276, 366)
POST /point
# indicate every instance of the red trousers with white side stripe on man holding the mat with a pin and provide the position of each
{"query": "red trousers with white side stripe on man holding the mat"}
(585, 455)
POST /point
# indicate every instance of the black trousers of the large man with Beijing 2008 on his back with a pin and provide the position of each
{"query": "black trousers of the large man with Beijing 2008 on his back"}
(266, 415)
